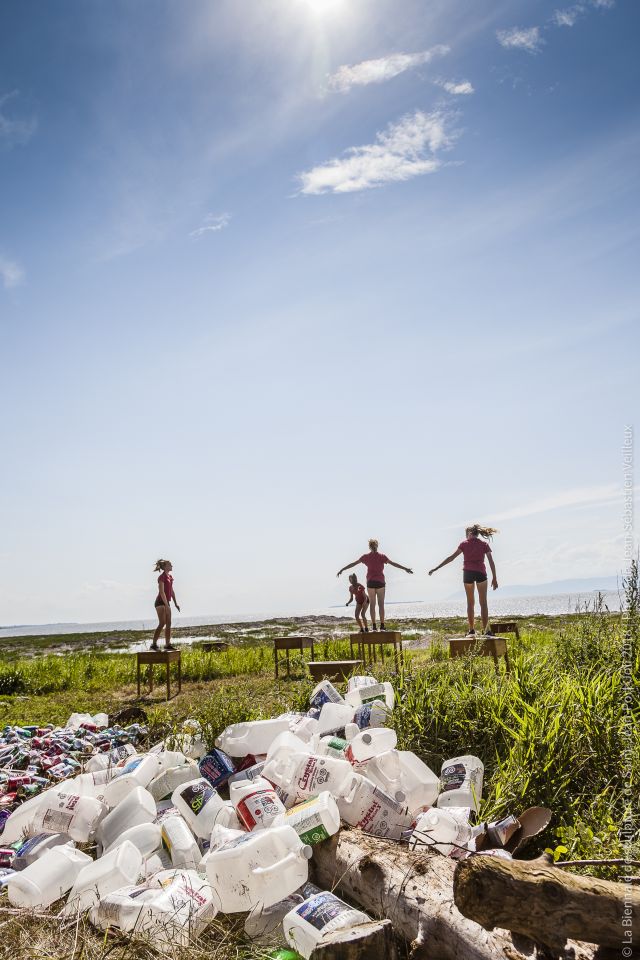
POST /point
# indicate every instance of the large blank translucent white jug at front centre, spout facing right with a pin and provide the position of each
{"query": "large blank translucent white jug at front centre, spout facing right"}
(260, 867)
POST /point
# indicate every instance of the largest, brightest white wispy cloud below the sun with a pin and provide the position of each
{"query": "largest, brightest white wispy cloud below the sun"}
(404, 150)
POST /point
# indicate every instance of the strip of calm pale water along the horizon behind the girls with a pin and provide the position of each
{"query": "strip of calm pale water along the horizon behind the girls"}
(516, 606)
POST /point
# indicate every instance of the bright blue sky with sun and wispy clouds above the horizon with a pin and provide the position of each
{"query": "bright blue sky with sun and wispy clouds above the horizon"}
(282, 275)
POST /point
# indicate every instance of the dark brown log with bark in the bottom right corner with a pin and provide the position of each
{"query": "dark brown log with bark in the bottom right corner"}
(537, 899)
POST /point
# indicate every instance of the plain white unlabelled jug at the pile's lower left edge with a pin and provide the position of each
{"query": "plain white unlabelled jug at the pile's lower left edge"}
(47, 879)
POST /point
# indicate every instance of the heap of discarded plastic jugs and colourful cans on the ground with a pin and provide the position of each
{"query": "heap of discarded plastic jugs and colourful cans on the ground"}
(175, 835)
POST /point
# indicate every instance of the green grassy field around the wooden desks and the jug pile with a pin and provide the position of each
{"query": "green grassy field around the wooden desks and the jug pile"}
(553, 732)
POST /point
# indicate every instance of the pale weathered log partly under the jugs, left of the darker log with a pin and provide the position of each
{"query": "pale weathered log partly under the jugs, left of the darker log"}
(415, 891)
